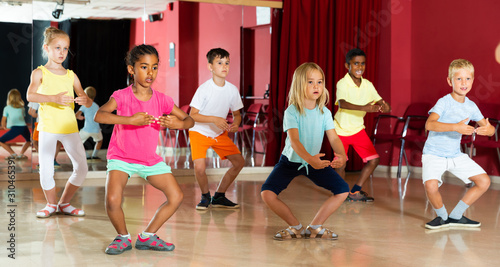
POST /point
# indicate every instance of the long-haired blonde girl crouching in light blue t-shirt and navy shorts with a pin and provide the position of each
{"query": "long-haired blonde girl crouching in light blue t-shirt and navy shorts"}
(306, 121)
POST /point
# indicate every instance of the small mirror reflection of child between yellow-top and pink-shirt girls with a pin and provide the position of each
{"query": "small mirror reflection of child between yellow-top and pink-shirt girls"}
(90, 128)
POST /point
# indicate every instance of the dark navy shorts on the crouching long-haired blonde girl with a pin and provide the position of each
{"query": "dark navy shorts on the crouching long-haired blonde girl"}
(285, 171)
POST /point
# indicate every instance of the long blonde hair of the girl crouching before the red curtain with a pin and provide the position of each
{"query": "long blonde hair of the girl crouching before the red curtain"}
(298, 88)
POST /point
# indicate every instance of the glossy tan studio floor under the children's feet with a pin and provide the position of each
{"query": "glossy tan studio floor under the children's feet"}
(388, 232)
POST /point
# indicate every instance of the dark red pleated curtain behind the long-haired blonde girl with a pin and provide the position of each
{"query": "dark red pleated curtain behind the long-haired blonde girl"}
(322, 32)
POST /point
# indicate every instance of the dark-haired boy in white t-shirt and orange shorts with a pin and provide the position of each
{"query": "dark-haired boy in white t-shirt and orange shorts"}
(209, 109)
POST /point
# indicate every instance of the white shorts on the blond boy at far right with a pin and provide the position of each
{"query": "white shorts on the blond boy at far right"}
(462, 166)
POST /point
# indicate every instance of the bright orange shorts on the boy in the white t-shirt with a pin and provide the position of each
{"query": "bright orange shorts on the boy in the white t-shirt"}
(222, 145)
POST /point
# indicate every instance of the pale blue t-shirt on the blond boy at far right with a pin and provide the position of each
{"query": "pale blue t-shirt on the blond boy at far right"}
(447, 144)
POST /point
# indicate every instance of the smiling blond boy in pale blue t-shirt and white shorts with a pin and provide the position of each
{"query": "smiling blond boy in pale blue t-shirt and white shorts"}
(447, 122)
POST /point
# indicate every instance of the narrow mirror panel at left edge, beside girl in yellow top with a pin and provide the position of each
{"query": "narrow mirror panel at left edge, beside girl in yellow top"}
(16, 31)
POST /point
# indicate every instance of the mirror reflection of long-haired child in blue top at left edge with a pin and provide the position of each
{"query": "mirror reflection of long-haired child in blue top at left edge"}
(13, 119)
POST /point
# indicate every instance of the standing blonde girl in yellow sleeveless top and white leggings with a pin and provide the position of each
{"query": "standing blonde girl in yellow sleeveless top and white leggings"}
(54, 87)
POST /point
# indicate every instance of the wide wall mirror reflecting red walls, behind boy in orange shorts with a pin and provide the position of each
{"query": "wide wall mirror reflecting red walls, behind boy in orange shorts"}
(182, 42)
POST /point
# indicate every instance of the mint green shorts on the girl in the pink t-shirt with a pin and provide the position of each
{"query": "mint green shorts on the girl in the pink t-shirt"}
(142, 170)
